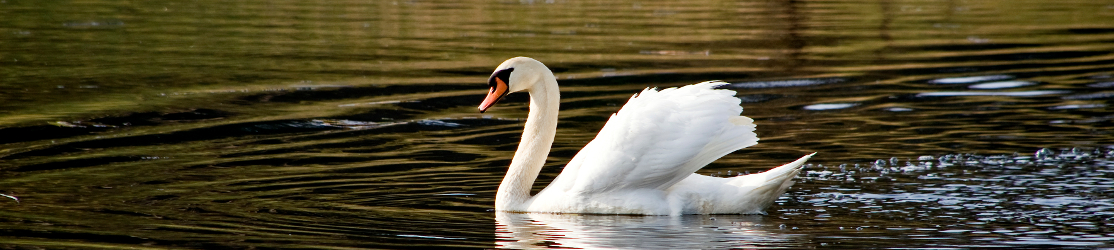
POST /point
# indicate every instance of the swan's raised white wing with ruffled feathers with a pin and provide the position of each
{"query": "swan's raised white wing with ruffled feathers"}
(658, 139)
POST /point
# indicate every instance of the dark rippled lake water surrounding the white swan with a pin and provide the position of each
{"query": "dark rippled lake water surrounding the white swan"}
(354, 124)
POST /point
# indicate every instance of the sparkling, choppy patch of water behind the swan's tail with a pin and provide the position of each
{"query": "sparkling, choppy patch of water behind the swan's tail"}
(969, 195)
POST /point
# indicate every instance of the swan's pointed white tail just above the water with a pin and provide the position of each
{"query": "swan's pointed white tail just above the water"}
(769, 186)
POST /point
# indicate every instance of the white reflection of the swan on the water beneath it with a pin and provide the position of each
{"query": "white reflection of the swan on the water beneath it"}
(593, 232)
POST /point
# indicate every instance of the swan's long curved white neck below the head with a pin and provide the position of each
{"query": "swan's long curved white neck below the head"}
(534, 149)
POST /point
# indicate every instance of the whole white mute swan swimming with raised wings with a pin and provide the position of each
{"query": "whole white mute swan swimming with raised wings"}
(644, 159)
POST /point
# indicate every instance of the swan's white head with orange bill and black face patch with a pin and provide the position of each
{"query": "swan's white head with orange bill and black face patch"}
(514, 75)
